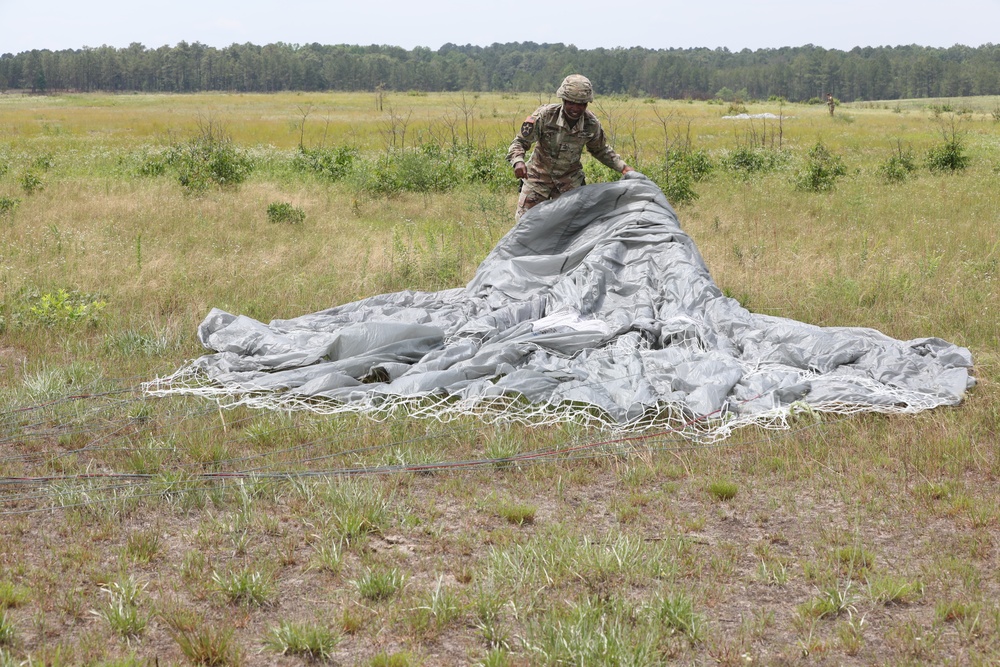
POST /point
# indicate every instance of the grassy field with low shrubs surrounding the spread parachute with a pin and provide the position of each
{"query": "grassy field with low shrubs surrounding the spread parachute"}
(138, 530)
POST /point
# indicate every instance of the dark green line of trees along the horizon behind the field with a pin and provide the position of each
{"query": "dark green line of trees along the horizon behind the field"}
(794, 73)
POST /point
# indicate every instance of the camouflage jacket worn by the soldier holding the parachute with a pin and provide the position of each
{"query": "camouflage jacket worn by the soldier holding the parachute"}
(556, 159)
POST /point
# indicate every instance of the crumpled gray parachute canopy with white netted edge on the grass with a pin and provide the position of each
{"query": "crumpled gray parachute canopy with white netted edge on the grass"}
(596, 307)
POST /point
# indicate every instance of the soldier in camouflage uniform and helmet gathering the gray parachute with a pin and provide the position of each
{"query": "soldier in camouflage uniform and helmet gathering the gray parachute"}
(561, 131)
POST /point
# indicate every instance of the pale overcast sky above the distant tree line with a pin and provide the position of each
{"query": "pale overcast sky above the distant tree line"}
(753, 24)
